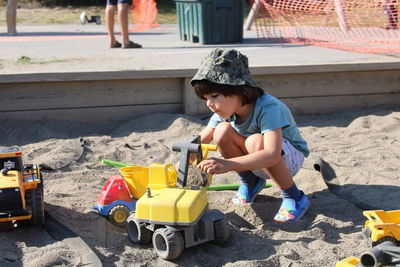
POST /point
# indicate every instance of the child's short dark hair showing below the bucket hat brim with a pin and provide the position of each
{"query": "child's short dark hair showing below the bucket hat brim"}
(248, 94)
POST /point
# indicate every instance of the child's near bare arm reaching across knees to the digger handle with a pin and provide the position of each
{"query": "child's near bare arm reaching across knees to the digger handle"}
(269, 156)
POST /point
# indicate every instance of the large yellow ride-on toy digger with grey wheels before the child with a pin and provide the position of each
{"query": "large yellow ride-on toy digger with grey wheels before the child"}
(173, 215)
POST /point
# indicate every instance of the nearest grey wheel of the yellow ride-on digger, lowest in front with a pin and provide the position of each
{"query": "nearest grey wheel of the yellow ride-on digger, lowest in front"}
(168, 244)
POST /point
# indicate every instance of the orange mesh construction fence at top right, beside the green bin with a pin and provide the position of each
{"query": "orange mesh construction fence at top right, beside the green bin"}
(368, 26)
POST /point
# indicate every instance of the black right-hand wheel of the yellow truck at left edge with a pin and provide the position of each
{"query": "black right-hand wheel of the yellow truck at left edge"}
(34, 201)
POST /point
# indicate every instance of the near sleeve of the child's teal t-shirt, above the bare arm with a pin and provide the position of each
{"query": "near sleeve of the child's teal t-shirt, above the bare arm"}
(272, 117)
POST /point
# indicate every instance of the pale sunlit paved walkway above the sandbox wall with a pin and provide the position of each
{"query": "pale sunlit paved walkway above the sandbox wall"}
(84, 48)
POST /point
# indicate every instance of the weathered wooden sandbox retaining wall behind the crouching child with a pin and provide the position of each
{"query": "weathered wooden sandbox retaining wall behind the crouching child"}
(100, 96)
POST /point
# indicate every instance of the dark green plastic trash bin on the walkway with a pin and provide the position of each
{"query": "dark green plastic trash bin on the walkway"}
(210, 21)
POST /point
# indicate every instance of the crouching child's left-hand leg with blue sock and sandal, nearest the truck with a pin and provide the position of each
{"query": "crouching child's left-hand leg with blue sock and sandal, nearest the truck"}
(232, 144)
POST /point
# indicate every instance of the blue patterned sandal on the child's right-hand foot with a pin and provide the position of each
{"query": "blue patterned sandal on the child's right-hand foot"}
(292, 210)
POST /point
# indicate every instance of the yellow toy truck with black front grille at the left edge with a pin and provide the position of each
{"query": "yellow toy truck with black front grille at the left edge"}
(21, 189)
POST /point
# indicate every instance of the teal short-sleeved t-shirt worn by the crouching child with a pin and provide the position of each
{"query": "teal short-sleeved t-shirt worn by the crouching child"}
(269, 113)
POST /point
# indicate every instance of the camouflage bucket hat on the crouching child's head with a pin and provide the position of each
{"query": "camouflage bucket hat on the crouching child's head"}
(225, 66)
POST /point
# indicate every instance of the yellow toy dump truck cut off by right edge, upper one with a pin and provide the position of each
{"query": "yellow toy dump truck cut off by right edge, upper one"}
(382, 226)
